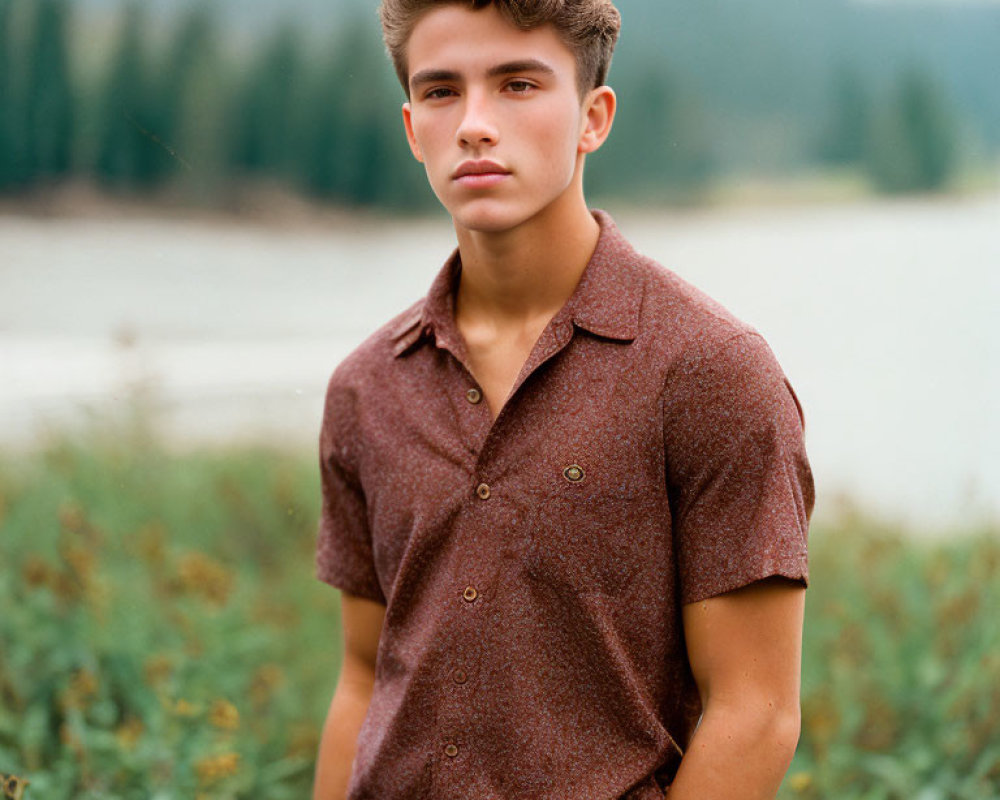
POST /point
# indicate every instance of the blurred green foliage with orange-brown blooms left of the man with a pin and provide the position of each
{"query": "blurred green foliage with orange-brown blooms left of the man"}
(162, 632)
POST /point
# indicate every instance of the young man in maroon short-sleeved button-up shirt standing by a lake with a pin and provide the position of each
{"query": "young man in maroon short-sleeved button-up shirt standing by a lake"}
(565, 496)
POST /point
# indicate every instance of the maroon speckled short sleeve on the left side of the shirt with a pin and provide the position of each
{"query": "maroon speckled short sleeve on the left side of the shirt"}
(344, 555)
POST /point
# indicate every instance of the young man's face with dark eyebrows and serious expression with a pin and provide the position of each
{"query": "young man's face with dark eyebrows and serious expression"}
(494, 115)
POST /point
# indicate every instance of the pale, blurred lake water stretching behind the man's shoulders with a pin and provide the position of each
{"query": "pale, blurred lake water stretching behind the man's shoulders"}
(885, 316)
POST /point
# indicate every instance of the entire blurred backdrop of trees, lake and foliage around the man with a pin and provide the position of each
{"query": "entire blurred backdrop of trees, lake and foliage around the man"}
(205, 205)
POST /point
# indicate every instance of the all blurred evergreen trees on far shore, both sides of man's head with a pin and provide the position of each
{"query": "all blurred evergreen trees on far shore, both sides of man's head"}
(190, 112)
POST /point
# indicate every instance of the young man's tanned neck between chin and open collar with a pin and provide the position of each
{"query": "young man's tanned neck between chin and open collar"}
(519, 277)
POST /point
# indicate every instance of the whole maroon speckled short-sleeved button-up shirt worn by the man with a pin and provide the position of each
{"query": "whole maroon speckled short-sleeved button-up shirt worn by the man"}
(534, 567)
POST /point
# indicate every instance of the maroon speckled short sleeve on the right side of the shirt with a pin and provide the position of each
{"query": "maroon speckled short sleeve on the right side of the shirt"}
(740, 486)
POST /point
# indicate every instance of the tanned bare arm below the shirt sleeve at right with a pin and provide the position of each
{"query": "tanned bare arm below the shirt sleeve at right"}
(745, 651)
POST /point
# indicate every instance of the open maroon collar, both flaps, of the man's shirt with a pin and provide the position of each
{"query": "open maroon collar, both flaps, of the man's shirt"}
(606, 302)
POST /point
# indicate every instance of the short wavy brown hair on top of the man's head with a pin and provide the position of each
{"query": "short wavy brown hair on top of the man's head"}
(588, 27)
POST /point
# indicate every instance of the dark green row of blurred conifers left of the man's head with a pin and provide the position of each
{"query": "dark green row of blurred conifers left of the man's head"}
(191, 113)
